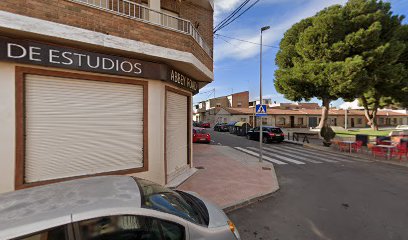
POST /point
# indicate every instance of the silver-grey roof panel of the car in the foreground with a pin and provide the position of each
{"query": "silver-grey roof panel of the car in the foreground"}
(57, 203)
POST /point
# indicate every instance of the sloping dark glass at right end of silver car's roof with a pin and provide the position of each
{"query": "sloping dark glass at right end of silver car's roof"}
(165, 200)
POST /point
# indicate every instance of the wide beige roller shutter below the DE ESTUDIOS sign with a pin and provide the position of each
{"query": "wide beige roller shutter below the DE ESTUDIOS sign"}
(80, 127)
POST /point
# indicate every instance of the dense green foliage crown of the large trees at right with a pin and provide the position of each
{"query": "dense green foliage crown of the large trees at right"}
(356, 50)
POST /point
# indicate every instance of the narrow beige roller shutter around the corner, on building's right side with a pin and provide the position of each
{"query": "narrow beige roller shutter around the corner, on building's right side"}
(176, 134)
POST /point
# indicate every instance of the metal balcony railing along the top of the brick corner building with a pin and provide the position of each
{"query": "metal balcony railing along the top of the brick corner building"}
(142, 13)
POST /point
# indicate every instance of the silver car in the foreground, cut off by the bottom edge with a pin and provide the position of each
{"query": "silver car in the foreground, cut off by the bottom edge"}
(110, 207)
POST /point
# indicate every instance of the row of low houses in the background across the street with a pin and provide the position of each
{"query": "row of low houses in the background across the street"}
(292, 115)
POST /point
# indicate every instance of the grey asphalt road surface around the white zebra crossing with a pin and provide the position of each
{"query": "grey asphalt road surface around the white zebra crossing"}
(348, 200)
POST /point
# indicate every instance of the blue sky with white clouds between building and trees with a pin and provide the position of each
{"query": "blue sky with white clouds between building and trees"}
(236, 63)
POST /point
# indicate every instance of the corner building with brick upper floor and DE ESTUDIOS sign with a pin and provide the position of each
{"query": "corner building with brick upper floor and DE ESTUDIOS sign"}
(96, 87)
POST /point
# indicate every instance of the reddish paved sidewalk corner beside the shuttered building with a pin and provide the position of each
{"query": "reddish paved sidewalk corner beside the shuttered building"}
(228, 177)
